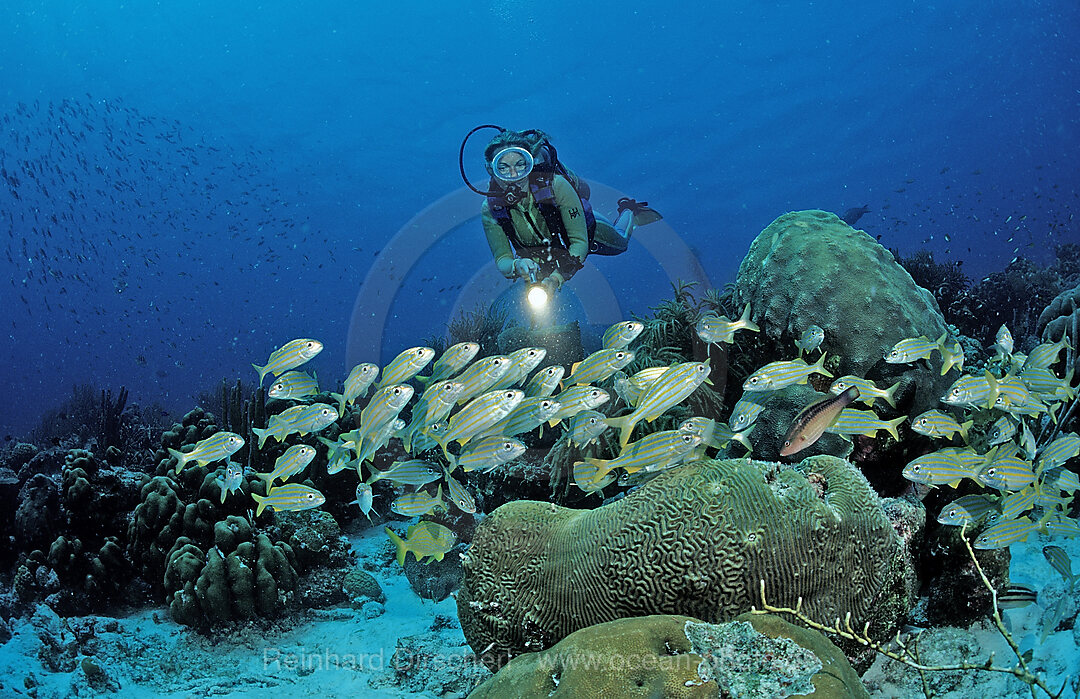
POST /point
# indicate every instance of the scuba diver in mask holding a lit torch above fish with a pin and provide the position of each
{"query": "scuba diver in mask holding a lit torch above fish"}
(537, 217)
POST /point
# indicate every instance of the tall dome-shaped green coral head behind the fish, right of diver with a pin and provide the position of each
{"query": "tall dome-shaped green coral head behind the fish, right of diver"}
(811, 268)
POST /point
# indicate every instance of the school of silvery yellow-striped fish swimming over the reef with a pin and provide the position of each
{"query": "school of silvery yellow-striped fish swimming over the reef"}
(472, 412)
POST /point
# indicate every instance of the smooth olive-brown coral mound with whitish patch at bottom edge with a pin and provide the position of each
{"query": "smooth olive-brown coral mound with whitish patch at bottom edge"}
(677, 656)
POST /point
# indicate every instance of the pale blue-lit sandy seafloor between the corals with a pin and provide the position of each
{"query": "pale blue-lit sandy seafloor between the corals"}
(343, 653)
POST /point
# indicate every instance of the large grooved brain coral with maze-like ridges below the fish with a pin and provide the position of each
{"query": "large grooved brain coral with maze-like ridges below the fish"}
(696, 541)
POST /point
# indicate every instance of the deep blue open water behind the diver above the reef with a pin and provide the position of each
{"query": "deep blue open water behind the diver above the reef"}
(190, 185)
